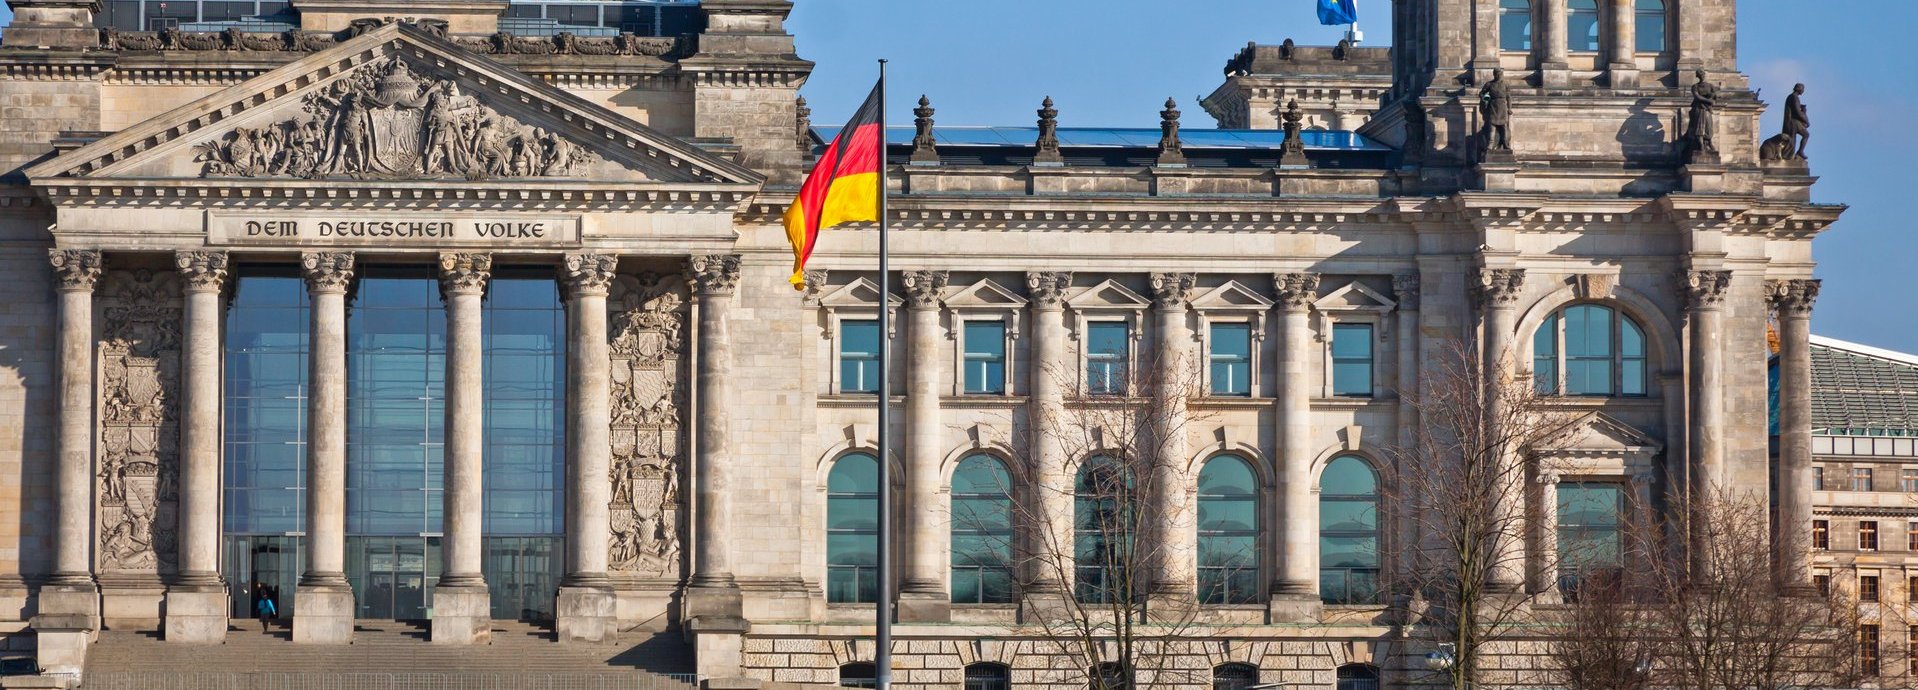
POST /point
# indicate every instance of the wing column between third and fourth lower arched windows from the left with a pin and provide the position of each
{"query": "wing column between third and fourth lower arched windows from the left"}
(1175, 578)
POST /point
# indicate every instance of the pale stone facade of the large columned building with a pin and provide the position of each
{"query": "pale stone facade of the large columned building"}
(707, 402)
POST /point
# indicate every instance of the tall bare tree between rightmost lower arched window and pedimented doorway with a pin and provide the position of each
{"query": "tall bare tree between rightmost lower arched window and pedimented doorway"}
(1462, 480)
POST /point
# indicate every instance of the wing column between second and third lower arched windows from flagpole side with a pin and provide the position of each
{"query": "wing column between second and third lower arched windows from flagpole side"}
(1050, 497)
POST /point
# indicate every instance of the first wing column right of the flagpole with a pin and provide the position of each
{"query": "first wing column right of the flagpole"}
(924, 597)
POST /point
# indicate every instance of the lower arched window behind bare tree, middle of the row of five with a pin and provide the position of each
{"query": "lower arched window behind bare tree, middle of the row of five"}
(1102, 530)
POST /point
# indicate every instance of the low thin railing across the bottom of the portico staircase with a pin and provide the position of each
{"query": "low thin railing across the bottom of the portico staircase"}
(390, 681)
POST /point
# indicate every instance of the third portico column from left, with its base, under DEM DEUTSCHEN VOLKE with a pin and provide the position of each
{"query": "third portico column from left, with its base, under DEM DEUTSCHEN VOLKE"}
(325, 601)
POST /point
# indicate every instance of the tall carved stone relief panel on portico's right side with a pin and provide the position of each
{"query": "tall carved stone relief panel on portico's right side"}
(649, 398)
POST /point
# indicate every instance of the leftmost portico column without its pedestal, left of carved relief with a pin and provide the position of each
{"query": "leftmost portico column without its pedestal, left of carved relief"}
(76, 273)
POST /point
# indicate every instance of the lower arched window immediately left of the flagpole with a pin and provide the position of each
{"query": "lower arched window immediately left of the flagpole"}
(853, 530)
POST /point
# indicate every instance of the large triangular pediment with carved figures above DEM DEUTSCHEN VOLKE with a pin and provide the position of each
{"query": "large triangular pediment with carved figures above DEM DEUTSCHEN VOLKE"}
(390, 106)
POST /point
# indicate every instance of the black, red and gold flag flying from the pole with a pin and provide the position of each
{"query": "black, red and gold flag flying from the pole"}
(843, 187)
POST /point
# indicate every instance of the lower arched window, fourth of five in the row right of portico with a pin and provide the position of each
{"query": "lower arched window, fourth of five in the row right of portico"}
(1228, 532)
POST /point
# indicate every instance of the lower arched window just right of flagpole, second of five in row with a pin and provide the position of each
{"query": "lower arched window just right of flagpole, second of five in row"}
(983, 532)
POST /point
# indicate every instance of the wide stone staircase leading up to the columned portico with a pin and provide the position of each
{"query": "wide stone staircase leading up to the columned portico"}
(390, 656)
